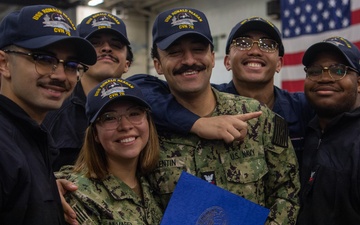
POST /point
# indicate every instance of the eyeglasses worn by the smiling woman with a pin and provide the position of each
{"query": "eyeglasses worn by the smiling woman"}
(111, 120)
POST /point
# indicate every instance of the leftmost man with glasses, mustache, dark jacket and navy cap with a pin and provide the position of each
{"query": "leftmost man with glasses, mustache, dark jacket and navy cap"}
(40, 57)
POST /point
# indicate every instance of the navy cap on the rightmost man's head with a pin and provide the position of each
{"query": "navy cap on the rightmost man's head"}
(339, 45)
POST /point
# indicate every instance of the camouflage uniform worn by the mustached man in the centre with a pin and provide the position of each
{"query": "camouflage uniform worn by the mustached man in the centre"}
(262, 169)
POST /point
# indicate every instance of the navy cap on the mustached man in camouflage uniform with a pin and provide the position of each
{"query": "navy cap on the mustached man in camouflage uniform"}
(172, 24)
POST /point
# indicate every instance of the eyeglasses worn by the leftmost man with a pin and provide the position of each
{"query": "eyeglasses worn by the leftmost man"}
(47, 64)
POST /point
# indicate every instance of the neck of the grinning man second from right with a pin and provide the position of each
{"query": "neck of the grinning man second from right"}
(262, 92)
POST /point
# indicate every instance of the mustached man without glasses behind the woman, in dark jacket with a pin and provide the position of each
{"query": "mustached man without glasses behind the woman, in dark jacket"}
(107, 33)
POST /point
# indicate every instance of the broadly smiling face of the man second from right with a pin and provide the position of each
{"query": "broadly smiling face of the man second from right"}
(254, 65)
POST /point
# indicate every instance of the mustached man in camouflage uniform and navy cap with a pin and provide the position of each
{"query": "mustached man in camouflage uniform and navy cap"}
(262, 168)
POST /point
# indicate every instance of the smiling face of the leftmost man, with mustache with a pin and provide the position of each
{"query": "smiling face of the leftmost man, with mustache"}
(35, 93)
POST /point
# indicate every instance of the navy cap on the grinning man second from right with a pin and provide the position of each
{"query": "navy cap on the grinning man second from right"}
(255, 24)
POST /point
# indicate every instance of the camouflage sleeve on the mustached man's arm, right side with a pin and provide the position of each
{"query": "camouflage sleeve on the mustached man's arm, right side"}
(282, 183)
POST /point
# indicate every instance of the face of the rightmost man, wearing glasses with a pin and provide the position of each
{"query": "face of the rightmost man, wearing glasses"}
(328, 97)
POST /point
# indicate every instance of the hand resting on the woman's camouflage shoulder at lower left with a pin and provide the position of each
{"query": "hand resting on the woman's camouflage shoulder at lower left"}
(64, 186)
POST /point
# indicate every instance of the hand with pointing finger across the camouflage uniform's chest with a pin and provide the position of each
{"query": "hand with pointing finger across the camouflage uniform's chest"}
(227, 127)
